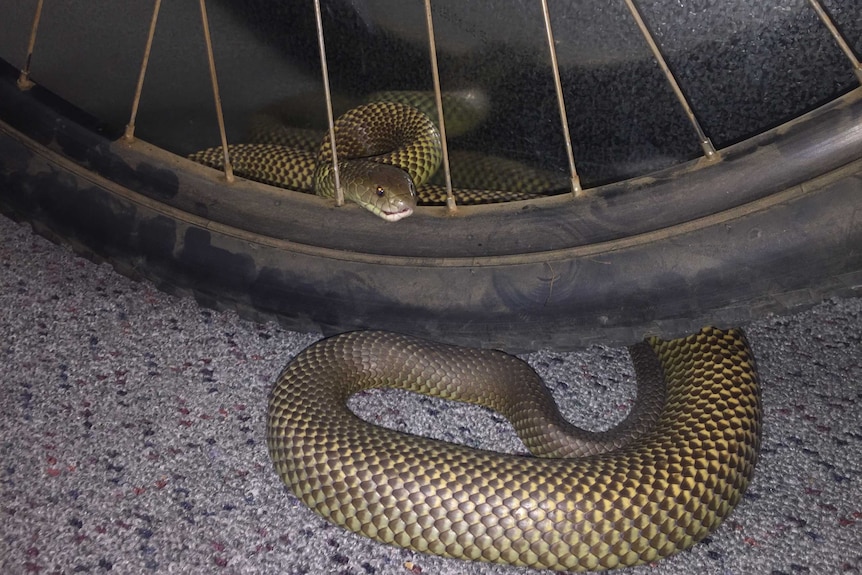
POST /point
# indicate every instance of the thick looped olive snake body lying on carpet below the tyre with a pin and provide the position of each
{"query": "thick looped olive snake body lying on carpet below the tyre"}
(659, 482)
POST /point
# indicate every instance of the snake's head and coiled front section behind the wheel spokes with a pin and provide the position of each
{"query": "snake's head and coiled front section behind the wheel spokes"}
(388, 152)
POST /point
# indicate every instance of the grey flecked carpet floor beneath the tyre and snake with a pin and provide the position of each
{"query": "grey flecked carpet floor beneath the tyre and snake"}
(132, 436)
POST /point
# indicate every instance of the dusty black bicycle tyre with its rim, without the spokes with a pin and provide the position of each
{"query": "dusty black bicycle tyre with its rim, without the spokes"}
(774, 225)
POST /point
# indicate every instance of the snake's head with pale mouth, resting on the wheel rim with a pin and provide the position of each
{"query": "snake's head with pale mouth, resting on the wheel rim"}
(385, 190)
